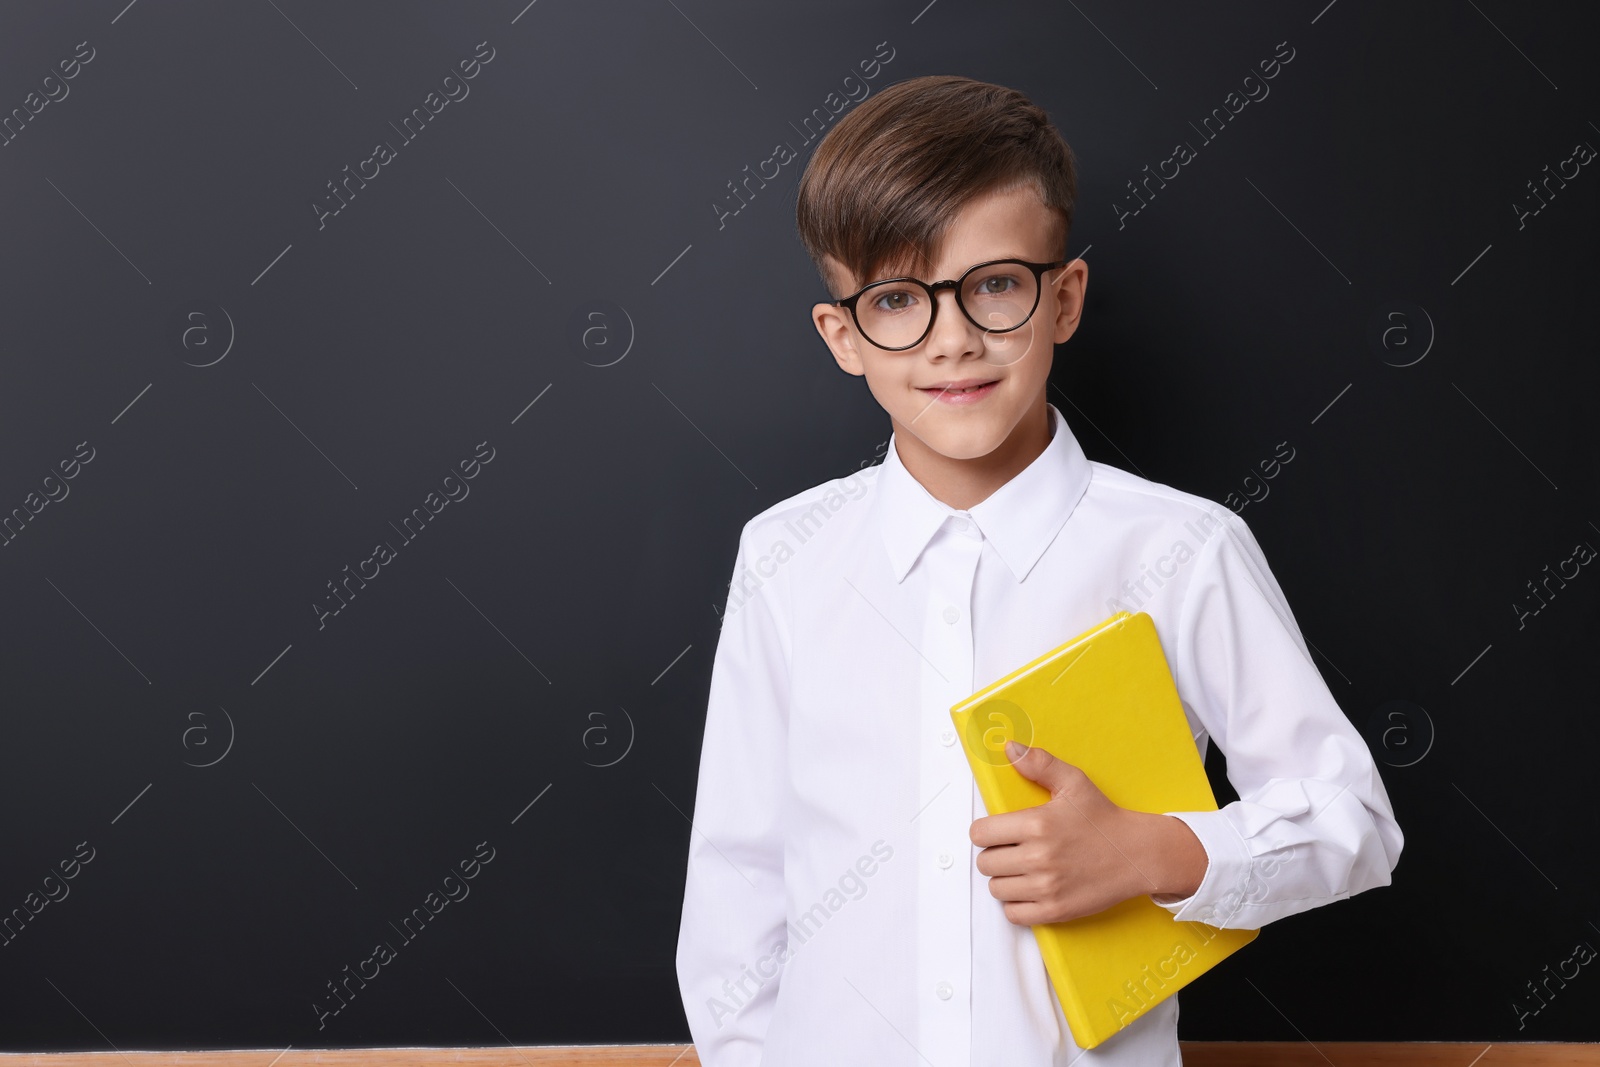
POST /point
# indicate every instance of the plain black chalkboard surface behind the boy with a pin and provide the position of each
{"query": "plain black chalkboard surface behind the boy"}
(386, 388)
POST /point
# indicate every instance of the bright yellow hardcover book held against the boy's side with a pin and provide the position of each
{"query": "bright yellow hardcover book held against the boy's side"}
(1105, 703)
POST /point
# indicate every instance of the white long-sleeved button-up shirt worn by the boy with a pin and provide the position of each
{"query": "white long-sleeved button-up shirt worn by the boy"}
(834, 911)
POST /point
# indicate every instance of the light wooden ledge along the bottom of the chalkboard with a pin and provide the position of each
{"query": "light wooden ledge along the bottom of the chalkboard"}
(1196, 1055)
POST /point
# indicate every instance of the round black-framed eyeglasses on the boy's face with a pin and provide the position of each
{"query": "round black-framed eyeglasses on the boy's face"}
(996, 297)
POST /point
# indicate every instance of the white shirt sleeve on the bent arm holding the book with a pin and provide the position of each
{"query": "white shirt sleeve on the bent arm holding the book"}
(1313, 823)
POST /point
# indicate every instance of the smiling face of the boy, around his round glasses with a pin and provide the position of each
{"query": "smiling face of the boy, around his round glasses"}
(914, 385)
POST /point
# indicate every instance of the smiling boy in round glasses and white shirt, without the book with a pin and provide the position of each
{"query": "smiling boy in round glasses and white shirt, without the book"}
(849, 900)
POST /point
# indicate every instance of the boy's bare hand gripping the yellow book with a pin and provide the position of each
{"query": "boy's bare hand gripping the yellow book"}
(1079, 853)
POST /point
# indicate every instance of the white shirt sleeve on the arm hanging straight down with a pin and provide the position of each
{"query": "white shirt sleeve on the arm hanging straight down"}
(734, 897)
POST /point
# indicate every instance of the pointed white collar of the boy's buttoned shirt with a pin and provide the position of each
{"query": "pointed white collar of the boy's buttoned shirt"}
(1020, 519)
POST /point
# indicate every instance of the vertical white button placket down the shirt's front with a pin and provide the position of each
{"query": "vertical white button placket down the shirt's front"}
(945, 973)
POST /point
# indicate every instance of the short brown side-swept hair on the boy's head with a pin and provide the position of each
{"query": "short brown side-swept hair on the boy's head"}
(887, 180)
